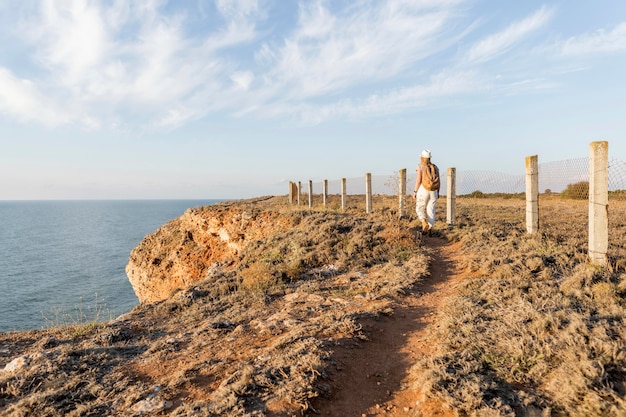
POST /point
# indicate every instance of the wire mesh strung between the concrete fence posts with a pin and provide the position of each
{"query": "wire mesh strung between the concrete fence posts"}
(563, 185)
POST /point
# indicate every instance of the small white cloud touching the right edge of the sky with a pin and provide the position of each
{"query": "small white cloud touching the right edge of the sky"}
(598, 42)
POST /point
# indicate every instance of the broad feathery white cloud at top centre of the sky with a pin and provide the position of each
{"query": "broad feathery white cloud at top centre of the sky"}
(370, 41)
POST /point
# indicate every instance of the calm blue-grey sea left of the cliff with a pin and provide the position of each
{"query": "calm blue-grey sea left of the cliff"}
(63, 262)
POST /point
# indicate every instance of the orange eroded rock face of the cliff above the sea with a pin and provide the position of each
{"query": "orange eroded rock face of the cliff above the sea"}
(181, 252)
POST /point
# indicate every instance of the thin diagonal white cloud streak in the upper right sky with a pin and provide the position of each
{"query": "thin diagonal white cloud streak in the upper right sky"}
(499, 43)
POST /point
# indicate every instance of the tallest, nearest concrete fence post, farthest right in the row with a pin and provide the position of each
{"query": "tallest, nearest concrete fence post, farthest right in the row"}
(599, 202)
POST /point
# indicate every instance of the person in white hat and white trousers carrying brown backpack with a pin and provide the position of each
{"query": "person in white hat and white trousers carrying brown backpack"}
(426, 191)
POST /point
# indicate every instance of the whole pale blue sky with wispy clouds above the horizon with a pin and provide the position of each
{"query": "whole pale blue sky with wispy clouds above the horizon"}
(233, 99)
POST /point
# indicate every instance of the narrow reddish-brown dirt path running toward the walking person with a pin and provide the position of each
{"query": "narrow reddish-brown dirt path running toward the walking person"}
(370, 378)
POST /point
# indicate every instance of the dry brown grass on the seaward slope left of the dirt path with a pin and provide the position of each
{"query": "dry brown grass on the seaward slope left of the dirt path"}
(254, 338)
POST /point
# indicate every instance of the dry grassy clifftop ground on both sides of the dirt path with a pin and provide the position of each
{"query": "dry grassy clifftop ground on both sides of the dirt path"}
(535, 330)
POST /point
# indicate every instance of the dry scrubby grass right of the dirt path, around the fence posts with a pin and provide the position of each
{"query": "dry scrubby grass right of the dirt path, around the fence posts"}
(537, 330)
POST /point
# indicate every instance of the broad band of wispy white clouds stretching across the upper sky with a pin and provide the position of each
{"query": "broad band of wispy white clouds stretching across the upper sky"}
(160, 64)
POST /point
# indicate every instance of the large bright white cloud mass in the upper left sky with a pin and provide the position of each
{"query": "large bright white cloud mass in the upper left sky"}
(131, 59)
